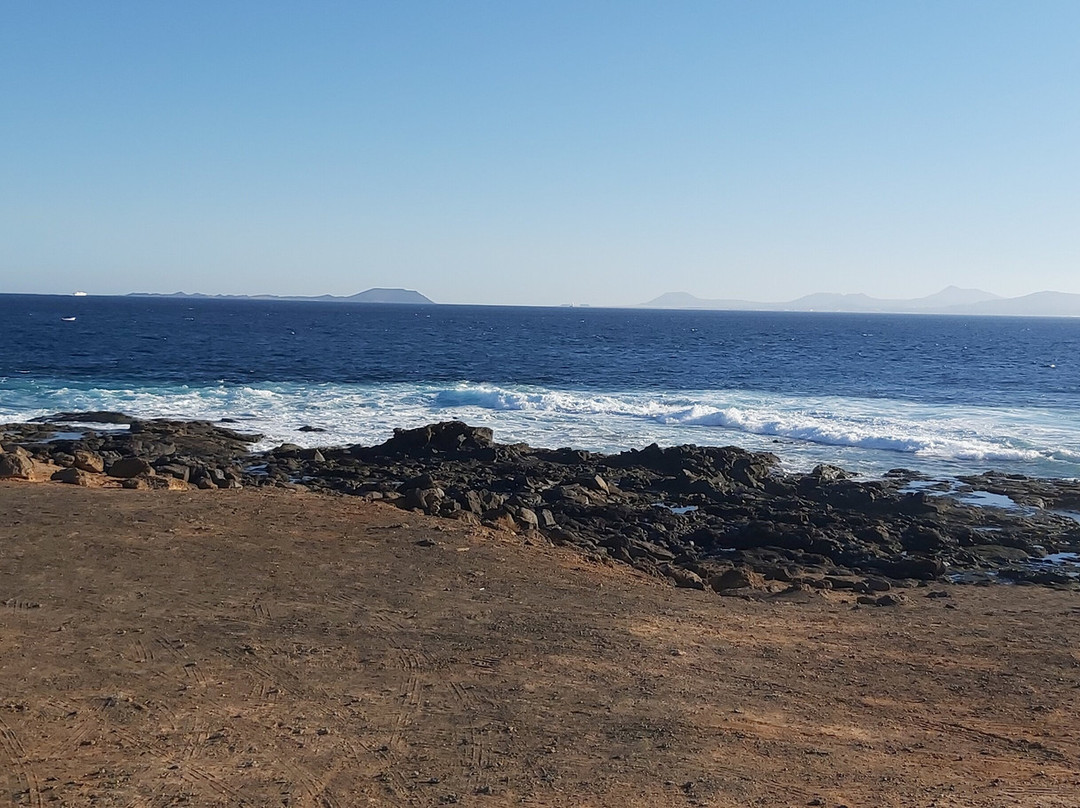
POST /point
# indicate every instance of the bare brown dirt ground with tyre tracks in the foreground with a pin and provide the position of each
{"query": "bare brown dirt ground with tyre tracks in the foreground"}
(221, 649)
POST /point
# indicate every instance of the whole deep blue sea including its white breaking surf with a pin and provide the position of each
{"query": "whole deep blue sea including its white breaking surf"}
(871, 393)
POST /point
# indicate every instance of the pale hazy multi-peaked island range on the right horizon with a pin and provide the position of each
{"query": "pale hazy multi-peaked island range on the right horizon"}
(950, 301)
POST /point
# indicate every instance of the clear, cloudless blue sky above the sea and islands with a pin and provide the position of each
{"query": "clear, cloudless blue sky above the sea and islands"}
(541, 153)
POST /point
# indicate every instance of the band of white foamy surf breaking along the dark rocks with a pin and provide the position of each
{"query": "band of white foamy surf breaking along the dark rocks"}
(861, 434)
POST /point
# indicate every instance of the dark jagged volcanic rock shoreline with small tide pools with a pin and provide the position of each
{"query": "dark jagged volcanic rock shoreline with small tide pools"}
(708, 518)
